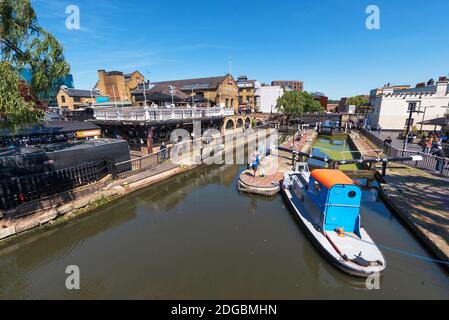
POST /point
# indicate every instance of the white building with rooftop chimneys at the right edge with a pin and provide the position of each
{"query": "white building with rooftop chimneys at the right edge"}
(391, 105)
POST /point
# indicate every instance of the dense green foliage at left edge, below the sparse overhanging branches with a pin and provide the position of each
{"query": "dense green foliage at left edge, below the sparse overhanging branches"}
(17, 104)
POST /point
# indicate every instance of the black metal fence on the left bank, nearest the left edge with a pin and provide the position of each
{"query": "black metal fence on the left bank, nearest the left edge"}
(17, 190)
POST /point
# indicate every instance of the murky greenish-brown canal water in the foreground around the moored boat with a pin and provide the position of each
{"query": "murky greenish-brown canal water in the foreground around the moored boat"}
(195, 237)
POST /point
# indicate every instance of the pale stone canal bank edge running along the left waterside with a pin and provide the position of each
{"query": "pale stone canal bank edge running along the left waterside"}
(67, 206)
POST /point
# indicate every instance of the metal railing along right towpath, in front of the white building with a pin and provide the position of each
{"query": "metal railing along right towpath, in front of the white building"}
(429, 161)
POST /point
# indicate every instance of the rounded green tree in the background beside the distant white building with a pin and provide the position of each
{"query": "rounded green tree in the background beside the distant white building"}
(295, 103)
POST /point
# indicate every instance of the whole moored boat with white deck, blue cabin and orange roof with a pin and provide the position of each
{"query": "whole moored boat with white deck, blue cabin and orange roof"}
(327, 203)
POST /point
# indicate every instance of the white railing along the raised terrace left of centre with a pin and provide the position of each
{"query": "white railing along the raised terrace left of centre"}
(157, 114)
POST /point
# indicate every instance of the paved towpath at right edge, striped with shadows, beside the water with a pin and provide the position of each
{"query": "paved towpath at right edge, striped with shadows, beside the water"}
(422, 201)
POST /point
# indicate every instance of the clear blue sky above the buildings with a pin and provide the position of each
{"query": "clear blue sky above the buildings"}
(324, 43)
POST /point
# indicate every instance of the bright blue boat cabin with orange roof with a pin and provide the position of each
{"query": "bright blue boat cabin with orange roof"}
(337, 198)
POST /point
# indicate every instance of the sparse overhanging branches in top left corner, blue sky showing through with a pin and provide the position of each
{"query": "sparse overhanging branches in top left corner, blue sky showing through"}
(24, 44)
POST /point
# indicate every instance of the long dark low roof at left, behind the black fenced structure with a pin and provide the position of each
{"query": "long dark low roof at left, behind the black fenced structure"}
(52, 127)
